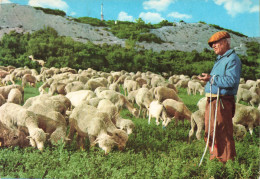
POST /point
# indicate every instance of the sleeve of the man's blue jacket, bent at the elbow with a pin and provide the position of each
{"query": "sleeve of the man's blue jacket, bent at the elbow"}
(231, 76)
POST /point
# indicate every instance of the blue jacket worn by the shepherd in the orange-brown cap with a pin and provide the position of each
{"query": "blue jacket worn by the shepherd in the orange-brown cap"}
(226, 72)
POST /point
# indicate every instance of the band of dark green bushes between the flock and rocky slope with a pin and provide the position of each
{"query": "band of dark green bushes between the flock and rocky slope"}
(59, 51)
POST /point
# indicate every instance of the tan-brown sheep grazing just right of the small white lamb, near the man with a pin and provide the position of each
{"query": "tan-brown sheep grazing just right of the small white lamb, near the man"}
(176, 109)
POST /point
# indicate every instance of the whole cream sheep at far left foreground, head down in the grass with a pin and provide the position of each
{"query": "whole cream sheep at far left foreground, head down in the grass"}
(14, 116)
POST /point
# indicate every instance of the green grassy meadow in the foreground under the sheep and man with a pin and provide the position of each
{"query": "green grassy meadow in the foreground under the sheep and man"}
(151, 152)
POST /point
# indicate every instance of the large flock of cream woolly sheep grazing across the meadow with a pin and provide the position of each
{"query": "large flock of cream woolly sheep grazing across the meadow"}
(88, 104)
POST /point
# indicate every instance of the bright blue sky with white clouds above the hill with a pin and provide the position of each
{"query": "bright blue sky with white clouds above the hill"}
(237, 15)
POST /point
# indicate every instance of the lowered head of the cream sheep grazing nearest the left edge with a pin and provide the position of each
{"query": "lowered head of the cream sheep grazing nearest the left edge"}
(37, 138)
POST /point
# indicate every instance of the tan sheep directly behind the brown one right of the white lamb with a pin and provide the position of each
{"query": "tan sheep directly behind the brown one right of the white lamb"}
(161, 93)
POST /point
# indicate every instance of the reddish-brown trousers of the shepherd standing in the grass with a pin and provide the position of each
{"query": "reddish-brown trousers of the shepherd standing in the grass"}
(224, 145)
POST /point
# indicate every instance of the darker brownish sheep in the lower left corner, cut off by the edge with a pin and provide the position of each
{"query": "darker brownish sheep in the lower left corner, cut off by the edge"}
(12, 137)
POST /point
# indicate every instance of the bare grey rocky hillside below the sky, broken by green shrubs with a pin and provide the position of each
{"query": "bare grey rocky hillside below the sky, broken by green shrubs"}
(183, 36)
